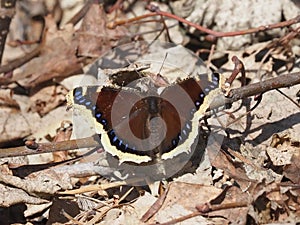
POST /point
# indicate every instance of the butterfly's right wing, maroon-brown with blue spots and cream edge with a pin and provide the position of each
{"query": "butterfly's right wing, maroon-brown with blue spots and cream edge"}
(180, 109)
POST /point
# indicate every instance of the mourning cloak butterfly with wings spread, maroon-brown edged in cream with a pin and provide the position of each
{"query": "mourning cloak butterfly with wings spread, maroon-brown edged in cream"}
(141, 125)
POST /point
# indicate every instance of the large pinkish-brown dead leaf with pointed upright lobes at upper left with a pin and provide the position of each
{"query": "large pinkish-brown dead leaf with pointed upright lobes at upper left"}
(57, 59)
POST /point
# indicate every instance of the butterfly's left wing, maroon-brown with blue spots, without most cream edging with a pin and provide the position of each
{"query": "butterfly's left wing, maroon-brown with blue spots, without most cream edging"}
(111, 108)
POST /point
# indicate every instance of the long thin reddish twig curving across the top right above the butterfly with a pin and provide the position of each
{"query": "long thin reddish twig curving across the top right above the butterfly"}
(156, 12)
